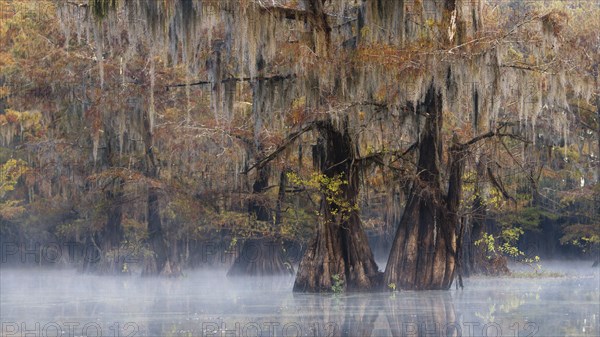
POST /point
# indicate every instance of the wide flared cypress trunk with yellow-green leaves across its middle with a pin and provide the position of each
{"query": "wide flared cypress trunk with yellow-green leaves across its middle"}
(340, 247)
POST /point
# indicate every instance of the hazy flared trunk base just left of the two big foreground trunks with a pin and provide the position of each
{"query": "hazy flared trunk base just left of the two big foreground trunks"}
(261, 257)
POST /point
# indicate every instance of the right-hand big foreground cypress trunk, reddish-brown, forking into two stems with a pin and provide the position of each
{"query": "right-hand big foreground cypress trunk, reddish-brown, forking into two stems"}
(423, 254)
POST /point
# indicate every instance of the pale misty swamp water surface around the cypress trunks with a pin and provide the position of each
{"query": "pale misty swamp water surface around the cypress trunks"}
(51, 303)
